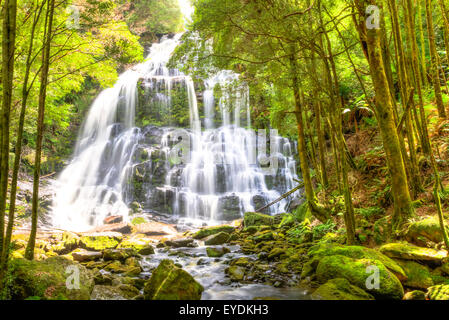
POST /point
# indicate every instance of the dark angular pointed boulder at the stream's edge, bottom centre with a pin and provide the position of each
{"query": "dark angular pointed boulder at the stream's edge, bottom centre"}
(168, 282)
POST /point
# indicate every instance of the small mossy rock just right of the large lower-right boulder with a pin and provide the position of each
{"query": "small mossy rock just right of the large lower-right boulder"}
(418, 276)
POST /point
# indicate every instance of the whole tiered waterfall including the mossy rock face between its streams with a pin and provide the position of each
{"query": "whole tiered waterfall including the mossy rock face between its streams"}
(127, 151)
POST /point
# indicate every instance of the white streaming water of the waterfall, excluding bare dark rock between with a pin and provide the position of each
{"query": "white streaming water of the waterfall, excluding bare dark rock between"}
(94, 184)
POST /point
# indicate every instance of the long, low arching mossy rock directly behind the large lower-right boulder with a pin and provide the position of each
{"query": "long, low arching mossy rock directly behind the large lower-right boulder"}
(357, 252)
